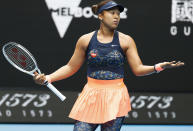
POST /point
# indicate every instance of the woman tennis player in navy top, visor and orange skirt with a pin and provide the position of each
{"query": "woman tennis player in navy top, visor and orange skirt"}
(104, 100)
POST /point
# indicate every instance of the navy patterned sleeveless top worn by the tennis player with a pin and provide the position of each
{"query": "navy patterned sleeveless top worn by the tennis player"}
(105, 61)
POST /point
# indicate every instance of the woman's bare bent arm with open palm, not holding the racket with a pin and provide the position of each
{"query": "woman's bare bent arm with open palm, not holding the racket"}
(137, 66)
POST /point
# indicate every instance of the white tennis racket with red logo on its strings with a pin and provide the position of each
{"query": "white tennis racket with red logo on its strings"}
(23, 60)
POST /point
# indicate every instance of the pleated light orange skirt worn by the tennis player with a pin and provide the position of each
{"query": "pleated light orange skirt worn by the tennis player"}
(101, 101)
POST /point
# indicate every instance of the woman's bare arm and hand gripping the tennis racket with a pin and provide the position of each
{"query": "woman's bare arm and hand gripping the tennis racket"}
(71, 67)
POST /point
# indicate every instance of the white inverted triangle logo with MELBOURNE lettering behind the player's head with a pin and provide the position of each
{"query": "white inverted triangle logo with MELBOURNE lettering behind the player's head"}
(63, 11)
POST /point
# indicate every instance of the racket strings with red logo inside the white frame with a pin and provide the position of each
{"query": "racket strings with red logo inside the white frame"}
(19, 57)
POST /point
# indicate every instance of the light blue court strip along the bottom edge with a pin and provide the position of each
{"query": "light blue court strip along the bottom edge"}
(69, 127)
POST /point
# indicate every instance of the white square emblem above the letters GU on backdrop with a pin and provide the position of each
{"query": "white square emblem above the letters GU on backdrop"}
(182, 10)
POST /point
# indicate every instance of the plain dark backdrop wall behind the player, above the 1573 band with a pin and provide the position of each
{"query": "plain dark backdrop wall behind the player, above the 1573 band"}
(30, 23)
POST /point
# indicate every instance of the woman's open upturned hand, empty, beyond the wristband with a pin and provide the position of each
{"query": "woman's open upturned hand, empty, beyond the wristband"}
(171, 64)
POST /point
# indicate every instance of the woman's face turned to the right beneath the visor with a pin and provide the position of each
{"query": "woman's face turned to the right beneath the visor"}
(110, 18)
